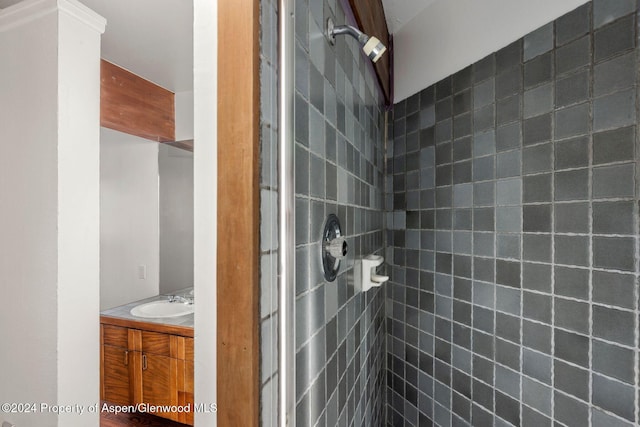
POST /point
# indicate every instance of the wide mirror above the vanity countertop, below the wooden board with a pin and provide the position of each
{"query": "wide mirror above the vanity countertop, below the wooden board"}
(146, 224)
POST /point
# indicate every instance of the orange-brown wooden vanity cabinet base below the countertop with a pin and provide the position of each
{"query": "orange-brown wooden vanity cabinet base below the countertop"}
(151, 367)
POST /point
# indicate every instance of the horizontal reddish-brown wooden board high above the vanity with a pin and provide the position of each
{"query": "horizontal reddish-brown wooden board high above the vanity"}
(133, 105)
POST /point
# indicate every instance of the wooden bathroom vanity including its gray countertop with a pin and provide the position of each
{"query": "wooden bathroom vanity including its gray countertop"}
(148, 361)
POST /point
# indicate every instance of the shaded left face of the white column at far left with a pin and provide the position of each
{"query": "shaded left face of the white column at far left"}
(28, 217)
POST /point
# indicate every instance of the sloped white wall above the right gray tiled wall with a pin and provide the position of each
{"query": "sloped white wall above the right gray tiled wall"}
(450, 35)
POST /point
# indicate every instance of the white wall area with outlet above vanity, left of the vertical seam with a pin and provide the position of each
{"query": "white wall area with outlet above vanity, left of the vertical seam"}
(129, 221)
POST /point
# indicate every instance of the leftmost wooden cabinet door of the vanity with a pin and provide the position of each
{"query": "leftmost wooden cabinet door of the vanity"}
(115, 372)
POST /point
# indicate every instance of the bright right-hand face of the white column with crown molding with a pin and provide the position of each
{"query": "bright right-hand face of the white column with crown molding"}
(78, 210)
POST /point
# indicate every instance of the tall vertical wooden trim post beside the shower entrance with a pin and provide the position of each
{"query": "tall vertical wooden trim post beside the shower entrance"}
(238, 350)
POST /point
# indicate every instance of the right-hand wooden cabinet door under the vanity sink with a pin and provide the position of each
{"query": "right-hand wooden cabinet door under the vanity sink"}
(159, 385)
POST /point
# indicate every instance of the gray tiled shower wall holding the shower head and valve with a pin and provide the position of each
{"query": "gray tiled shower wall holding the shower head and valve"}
(339, 131)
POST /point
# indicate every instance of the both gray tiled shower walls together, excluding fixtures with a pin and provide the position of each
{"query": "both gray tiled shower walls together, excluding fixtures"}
(504, 199)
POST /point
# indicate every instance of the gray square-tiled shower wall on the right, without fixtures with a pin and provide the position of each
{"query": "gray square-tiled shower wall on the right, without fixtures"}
(512, 226)
